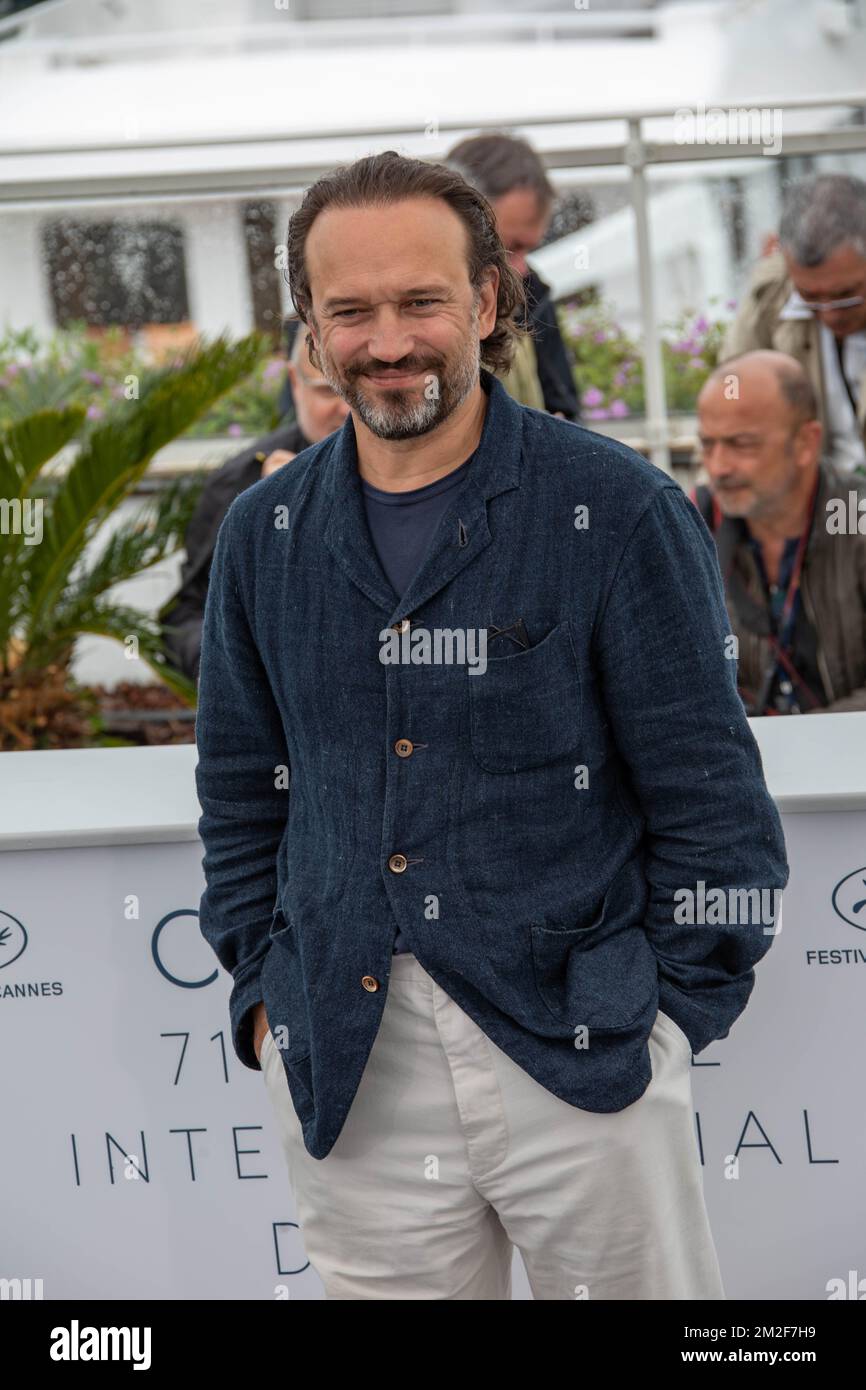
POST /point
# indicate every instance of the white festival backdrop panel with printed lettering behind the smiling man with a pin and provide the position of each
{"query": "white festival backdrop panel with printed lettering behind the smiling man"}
(115, 1042)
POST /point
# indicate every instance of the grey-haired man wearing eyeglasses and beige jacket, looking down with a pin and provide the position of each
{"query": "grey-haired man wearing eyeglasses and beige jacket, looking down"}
(808, 300)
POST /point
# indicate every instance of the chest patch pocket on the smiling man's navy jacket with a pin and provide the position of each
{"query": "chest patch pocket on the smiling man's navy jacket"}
(525, 708)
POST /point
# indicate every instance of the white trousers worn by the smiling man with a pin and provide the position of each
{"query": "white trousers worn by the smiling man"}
(451, 1156)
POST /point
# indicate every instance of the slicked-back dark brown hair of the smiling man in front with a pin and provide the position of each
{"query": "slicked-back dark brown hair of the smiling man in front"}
(382, 180)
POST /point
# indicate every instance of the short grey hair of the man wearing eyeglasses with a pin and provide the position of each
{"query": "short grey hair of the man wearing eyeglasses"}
(821, 215)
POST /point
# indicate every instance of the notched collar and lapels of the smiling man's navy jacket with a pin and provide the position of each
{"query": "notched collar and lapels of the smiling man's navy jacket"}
(464, 532)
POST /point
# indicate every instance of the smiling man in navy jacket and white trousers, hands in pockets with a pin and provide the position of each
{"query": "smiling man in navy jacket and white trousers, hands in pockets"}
(447, 897)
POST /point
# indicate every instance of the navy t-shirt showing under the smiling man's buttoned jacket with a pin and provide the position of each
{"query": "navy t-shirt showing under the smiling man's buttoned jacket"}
(402, 526)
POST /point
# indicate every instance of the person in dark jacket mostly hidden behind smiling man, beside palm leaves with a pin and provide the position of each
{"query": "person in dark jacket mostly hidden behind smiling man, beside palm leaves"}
(319, 412)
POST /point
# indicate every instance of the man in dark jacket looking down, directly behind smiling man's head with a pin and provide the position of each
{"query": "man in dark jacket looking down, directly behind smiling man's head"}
(512, 177)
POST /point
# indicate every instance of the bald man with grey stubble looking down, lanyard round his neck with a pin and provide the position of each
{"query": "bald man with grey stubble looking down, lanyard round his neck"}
(786, 530)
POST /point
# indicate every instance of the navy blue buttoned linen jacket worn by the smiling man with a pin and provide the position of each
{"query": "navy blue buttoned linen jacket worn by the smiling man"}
(528, 829)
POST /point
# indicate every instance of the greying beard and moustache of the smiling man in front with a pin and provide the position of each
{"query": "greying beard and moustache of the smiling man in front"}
(408, 412)
